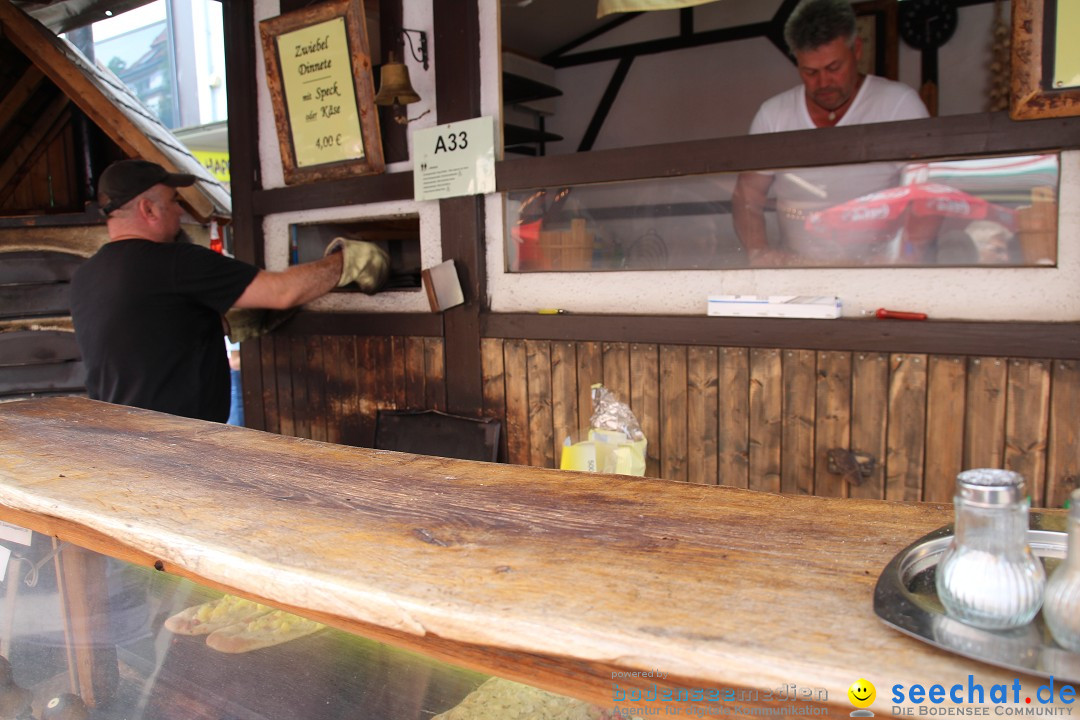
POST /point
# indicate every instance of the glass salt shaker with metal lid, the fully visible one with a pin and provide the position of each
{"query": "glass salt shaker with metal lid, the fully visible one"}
(989, 577)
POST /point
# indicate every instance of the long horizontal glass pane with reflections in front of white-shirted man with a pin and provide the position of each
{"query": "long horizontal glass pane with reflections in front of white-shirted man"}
(961, 213)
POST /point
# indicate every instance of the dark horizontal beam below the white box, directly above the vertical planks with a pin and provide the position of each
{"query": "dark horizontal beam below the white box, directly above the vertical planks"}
(1037, 341)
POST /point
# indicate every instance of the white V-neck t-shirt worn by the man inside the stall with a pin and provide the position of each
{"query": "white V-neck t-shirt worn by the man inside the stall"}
(803, 192)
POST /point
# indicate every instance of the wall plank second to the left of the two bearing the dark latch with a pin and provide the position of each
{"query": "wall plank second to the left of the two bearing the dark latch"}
(766, 419)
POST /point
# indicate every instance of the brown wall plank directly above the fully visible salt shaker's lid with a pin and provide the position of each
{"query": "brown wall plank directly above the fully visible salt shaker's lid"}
(984, 432)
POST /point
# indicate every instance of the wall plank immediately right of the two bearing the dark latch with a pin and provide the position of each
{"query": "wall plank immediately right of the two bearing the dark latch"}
(908, 415)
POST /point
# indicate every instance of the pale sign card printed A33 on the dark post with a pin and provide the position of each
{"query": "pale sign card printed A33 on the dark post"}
(454, 160)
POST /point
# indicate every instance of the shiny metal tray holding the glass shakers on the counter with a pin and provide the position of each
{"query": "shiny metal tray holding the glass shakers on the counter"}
(907, 600)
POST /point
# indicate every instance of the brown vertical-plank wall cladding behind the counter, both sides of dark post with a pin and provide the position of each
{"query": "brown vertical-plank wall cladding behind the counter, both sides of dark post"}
(755, 418)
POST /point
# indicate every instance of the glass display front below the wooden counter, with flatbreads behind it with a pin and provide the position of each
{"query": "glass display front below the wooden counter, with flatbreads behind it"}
(88, 636)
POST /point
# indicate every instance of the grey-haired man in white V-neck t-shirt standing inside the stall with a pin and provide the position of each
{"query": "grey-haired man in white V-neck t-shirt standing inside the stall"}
(827, 48)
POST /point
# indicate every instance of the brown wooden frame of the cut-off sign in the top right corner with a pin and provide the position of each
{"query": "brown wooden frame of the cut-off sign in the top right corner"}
(1034, 40)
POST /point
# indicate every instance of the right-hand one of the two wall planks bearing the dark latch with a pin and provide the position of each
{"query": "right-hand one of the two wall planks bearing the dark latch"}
(870, 406)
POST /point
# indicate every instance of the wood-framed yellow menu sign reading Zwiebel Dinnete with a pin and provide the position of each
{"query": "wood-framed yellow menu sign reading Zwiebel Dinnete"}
(319, 72)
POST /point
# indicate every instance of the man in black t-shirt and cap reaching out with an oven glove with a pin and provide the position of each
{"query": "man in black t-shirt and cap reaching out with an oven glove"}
(147, 310)
